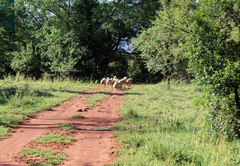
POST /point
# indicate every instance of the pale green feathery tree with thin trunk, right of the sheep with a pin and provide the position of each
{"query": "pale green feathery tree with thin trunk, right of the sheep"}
(159, 44)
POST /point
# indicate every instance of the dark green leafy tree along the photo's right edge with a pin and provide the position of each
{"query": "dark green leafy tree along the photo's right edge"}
(212, 44)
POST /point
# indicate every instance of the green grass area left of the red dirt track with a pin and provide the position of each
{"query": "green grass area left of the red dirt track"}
(21, 98)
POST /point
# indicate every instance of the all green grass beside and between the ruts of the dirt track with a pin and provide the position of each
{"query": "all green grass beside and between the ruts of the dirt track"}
(158, 126)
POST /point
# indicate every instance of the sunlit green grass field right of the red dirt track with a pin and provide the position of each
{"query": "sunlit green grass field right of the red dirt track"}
(164, 127)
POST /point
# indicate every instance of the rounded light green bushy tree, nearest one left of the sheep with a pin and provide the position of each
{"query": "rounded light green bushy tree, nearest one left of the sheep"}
(59, 52)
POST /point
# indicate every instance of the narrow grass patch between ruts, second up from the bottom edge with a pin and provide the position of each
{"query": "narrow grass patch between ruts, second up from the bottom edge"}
(54, 138)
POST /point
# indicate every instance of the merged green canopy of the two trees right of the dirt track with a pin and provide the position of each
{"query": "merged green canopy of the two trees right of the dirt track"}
(205, 35)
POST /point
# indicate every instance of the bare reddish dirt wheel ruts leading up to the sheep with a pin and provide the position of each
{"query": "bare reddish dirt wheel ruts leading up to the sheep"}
(93, 144)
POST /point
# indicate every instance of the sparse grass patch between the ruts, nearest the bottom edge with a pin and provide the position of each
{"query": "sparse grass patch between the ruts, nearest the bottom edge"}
(48, 157)
